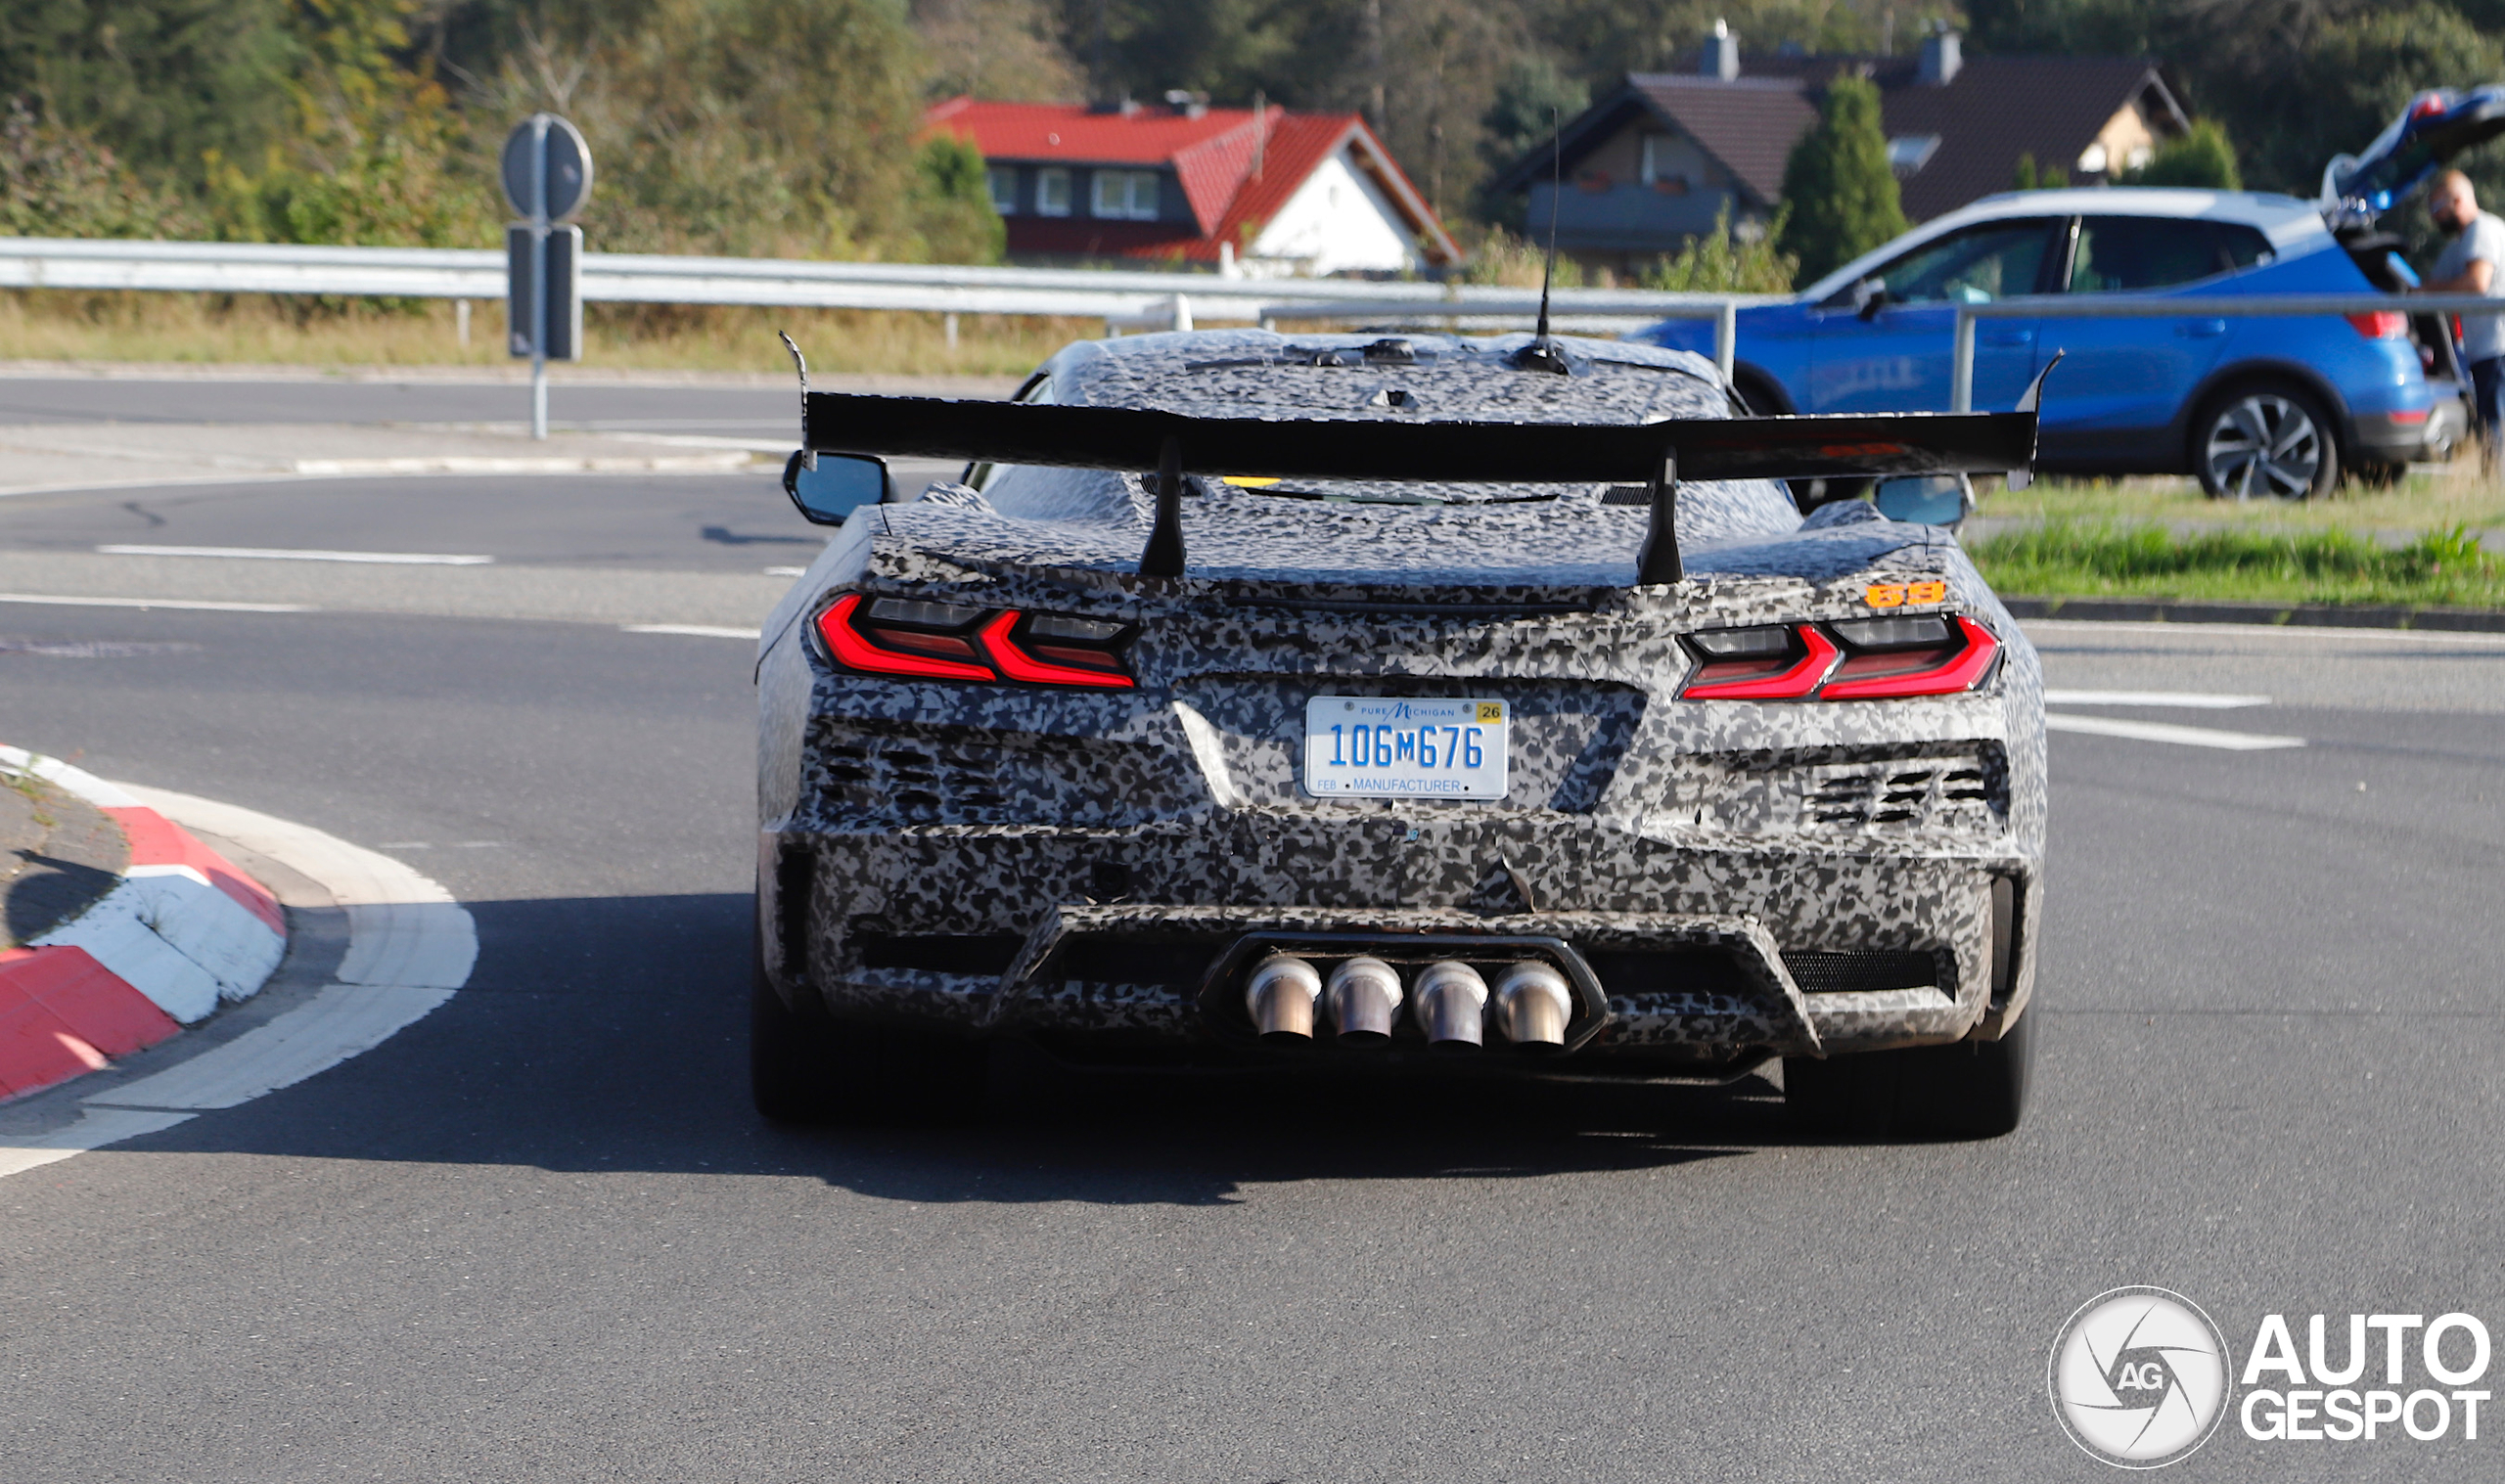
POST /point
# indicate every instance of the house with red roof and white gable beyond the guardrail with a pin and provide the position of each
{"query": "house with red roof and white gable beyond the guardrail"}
(1239, 189)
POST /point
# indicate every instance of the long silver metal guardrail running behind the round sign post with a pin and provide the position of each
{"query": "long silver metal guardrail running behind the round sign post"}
(1118, 297)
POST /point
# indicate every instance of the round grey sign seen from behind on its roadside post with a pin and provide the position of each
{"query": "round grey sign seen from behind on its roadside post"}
(547, 179)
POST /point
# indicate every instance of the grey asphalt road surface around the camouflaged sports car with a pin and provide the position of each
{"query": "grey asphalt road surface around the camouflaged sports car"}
(542, 1238)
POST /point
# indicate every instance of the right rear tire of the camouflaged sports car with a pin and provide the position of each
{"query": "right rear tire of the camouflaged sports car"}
(1965, 1090)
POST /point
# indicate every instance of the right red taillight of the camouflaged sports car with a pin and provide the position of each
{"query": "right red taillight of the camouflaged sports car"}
(1877, 659)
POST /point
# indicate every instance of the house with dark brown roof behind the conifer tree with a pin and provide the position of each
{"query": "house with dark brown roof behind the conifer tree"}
(1652, 164)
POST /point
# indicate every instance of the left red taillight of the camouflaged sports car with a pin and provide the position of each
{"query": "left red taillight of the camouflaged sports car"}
(956, 642)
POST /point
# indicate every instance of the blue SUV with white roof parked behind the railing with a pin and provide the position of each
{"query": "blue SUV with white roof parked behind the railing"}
(2253, 407)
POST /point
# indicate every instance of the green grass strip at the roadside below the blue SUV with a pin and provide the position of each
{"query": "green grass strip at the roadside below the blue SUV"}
(2080, 559)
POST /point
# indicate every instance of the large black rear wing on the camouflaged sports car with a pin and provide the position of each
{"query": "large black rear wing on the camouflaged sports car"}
(1382, 449)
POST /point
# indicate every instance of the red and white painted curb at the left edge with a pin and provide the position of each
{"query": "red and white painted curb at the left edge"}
(179, 932)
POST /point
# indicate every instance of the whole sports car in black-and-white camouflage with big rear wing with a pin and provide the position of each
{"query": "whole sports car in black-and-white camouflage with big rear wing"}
(1474, 704)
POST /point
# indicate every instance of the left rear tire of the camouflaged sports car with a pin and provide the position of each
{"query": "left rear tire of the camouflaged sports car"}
(805, 1067)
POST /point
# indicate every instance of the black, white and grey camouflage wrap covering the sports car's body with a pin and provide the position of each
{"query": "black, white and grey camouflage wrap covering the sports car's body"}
(1800, 842)
